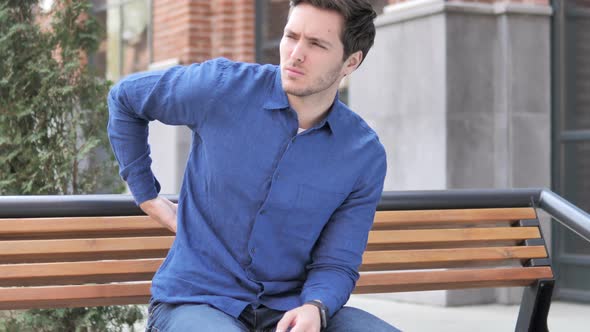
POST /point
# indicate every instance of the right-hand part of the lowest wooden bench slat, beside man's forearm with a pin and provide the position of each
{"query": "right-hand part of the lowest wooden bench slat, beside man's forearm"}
(450, 279)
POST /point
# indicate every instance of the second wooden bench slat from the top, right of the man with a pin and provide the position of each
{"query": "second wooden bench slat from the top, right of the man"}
(445, 236)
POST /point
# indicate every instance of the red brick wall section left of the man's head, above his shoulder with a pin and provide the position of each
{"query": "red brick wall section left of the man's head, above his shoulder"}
(196, 30)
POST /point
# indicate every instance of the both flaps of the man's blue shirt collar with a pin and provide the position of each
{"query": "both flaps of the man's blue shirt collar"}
(277, 100)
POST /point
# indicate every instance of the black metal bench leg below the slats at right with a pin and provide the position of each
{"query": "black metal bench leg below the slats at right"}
(534, 307)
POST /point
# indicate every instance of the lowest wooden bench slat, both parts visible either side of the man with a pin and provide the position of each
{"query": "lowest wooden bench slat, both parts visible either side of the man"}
(109, 294)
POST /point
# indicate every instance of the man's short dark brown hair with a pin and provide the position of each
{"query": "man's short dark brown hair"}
(358, 32)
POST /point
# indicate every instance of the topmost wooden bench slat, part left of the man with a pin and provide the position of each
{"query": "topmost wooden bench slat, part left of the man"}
(91, 226)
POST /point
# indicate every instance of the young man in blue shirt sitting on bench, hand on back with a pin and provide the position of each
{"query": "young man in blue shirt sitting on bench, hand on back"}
(280, 188)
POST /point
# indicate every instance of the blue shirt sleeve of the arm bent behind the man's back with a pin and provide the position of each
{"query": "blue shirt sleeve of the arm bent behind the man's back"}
(181, 95)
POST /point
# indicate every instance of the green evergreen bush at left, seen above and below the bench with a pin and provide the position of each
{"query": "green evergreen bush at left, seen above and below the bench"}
(53, 117)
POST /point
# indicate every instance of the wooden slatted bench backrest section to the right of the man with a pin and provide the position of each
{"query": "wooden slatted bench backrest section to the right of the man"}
(453, 249)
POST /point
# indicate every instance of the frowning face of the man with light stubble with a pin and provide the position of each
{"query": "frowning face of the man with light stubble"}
(311, 51)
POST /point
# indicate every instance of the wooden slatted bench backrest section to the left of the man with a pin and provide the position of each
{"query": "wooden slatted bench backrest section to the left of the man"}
(85, 261)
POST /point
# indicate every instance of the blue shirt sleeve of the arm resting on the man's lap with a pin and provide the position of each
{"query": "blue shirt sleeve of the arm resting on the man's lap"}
(333, 273)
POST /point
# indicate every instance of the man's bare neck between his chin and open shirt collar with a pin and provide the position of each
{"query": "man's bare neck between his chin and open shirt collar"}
(311, 109)
